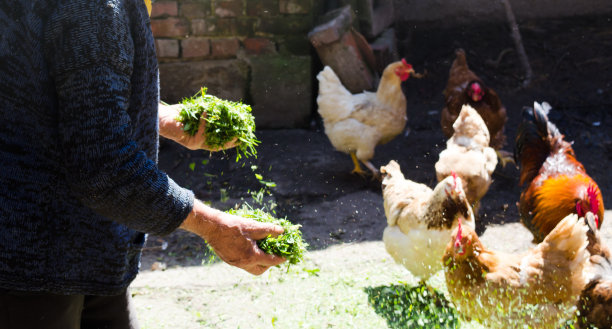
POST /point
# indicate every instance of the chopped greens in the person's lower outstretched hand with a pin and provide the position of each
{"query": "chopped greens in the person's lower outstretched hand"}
(289, 245)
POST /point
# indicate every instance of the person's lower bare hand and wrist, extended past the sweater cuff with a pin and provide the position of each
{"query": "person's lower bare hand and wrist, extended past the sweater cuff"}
(233, 238)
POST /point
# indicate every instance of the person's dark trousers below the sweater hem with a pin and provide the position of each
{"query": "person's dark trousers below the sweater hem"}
(22, 310)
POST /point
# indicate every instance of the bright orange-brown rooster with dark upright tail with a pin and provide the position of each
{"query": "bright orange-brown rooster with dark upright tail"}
(555, 183)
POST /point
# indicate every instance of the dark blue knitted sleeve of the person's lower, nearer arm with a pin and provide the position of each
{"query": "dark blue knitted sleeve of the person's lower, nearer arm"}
(90, 54)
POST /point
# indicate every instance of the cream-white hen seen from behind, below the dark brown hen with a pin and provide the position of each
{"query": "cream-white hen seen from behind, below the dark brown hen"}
(468, 154)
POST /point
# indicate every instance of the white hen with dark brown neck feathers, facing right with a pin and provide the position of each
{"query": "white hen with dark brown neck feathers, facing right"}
(420, 220)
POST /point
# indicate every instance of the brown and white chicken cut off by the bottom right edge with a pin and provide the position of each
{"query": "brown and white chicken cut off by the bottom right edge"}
(595, 304)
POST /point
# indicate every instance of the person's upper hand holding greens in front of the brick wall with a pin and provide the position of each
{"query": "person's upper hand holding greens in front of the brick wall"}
(172, 129)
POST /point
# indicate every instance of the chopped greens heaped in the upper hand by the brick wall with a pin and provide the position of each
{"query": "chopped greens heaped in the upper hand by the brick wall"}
(225, 121)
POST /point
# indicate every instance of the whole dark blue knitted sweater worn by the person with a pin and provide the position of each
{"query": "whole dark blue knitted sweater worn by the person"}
(78, 146)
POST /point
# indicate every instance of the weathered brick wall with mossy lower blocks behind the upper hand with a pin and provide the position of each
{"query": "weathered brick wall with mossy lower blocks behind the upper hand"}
(256, 51)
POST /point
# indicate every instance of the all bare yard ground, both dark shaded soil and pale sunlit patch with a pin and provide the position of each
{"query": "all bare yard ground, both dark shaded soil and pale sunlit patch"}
(342, 214)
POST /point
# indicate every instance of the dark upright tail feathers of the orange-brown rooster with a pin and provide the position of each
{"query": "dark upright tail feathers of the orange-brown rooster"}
(532, 144)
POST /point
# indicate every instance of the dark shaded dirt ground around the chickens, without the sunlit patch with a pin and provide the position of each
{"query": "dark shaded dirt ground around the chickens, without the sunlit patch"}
(572, 65)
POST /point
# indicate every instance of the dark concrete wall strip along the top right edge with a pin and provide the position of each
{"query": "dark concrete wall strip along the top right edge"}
(453, 12)
